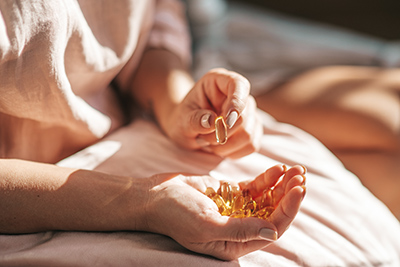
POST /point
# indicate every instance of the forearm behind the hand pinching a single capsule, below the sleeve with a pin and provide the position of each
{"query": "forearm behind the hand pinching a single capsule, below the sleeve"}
(161, 83)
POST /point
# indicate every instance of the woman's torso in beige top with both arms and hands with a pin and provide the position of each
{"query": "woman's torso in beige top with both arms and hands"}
(58, 60)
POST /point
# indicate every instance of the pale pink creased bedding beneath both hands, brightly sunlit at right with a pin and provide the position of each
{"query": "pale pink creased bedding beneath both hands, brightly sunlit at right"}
(339, 224)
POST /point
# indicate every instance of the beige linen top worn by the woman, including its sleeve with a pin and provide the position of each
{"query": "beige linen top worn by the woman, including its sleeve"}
(57, 59)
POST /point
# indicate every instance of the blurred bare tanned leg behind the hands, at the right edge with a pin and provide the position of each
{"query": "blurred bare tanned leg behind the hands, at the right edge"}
(355, 112)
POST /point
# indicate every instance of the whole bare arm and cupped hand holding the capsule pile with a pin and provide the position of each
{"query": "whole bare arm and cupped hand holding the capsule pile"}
(45, 197)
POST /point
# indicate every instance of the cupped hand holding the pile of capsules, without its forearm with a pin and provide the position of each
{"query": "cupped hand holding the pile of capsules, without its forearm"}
(177, 207)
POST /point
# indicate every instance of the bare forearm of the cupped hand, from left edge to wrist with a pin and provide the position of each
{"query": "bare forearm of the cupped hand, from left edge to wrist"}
(36, 197)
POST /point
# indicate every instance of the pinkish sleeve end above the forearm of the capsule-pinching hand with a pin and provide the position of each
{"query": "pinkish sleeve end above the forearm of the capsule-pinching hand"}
(170, 30)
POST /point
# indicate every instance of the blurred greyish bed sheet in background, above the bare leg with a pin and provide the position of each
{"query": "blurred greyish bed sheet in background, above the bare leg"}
(269, 47)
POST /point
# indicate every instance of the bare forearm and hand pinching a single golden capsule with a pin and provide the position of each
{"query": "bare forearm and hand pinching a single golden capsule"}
(178, 103)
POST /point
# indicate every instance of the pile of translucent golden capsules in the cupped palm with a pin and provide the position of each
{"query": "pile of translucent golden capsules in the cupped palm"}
(233, 202)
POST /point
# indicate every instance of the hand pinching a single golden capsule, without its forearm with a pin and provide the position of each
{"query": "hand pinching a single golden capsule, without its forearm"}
(218, 93)
